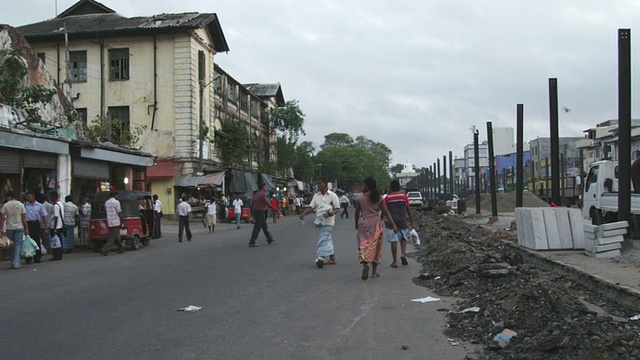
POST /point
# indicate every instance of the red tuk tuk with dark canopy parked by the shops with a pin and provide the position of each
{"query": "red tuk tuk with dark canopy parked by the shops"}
(137, 211)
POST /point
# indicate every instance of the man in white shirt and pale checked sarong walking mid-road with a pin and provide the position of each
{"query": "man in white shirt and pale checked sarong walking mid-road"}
(326, 204)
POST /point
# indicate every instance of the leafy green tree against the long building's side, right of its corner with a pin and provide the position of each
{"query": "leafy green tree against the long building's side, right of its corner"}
(233, 143)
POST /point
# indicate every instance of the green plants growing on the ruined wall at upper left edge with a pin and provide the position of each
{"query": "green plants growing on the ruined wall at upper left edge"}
(14, 90)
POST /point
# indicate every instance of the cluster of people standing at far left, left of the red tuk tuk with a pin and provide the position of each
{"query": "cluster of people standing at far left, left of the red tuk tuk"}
(53, 221)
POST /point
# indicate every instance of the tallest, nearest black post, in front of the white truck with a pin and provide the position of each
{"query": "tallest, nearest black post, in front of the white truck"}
(624, 124)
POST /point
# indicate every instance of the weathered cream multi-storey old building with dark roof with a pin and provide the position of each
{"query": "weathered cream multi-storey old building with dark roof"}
(151, 83)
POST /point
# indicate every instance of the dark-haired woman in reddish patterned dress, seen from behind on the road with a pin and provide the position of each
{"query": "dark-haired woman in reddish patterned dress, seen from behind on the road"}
(369, 226)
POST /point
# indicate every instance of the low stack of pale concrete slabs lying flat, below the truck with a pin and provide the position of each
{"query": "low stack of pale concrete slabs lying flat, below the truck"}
(604, 241)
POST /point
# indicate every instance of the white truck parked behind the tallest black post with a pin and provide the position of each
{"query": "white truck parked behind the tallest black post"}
(600, 194)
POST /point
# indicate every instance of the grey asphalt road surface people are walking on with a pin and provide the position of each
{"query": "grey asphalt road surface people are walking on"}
(269, 302)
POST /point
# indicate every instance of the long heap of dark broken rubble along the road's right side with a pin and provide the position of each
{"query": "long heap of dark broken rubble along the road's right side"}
(518, 305)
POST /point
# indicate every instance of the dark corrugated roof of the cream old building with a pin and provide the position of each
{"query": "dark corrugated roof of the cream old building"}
(90, 25)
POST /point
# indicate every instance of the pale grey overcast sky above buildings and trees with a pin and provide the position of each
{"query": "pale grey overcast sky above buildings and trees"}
(415, 75)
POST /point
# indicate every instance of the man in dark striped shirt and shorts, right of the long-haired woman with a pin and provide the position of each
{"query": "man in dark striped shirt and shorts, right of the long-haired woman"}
(398, 204)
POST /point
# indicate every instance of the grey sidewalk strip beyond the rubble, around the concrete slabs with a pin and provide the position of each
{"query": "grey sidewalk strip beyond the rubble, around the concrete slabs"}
(622, 272)
